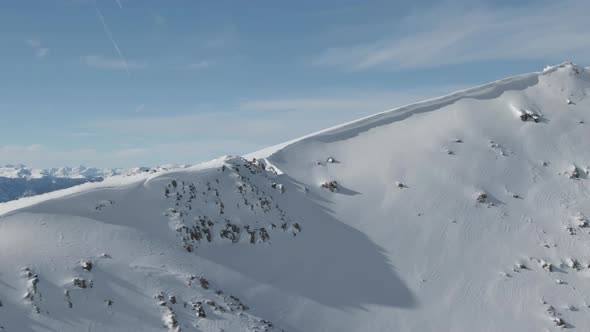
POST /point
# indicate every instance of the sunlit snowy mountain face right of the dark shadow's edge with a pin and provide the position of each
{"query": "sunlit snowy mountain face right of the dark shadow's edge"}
(471, 197)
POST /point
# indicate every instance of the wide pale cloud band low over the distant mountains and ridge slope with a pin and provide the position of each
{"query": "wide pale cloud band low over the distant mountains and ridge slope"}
(206, 133)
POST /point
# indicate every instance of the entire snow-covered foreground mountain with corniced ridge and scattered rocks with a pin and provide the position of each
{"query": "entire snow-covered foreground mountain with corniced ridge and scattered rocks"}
(462, 213)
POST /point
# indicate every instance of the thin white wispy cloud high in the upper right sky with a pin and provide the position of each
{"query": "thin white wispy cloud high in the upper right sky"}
(450, 35)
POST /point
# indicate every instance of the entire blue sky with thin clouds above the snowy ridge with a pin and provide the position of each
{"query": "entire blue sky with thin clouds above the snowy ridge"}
(122, 83)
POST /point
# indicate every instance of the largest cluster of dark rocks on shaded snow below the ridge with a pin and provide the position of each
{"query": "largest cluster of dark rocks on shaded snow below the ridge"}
(203, 211)
